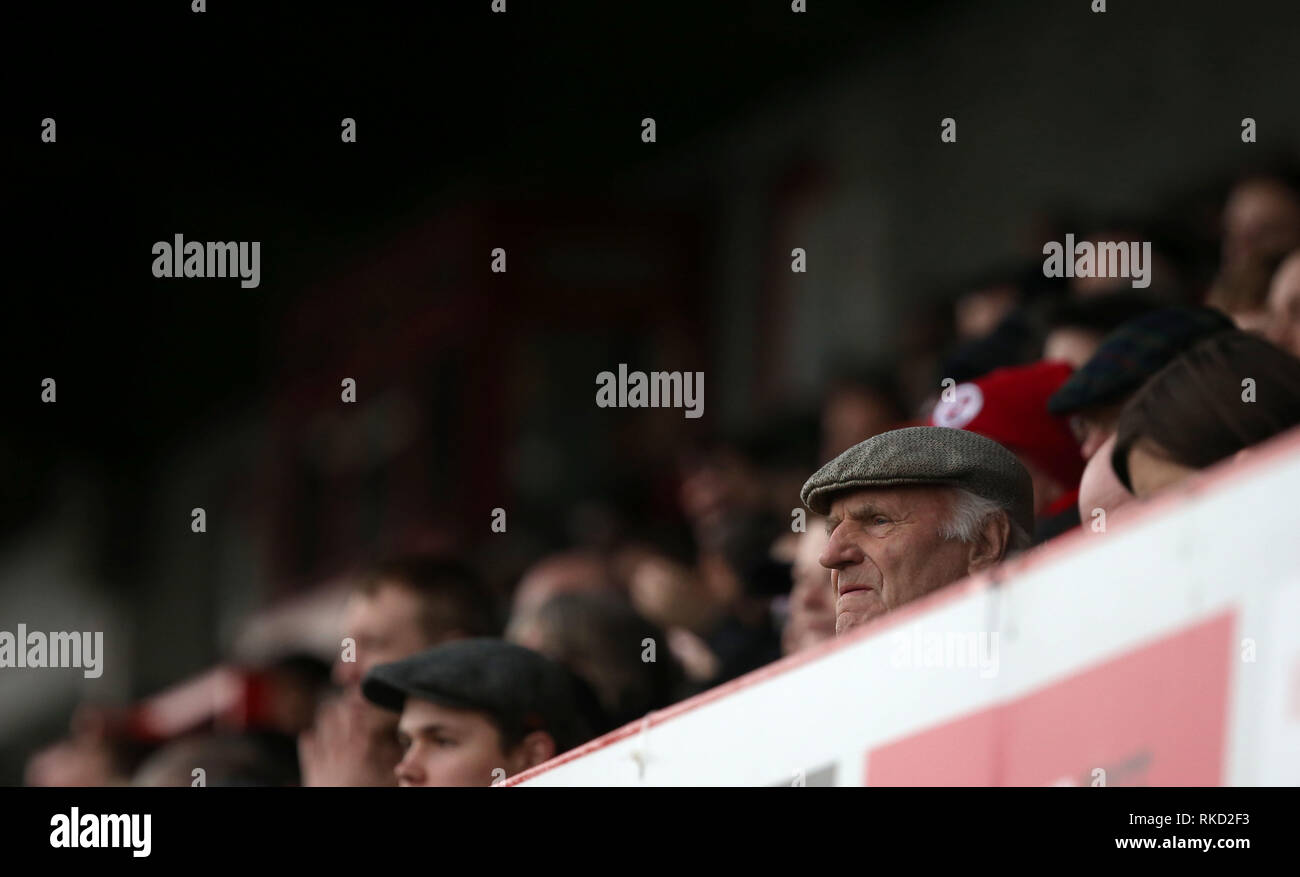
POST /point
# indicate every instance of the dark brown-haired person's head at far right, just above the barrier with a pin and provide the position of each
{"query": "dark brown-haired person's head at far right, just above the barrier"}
(1224, 396)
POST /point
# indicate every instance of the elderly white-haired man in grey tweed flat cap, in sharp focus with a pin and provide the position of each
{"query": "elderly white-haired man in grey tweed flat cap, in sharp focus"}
(913, 510)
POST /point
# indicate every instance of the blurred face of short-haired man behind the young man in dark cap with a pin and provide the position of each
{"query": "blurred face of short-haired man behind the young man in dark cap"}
(385, 626)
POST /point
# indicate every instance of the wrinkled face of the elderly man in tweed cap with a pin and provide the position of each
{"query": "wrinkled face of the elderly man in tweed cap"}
(886, 550)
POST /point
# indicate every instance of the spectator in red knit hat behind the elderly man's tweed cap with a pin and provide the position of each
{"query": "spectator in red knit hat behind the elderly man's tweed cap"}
(1011, 407)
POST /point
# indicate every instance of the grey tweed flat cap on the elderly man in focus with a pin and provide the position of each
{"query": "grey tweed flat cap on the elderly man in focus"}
(928, 455)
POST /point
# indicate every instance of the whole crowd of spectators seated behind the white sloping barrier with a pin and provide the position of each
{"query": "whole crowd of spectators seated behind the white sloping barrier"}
(1056, 400)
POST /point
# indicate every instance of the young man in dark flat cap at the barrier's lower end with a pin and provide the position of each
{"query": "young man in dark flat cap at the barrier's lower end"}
(476, 711)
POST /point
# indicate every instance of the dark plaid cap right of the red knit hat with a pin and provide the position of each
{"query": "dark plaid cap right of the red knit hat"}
(1134, 353)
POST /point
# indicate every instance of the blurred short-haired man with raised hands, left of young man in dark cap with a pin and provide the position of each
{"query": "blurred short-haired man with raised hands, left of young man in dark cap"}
(402, 607)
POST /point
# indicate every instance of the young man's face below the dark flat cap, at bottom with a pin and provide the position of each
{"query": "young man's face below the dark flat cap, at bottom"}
(460, 748)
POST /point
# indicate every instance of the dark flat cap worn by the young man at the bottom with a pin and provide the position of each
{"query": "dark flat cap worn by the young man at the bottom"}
(522, 691)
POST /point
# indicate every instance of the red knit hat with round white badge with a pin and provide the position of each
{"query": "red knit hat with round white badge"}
(1011, 407)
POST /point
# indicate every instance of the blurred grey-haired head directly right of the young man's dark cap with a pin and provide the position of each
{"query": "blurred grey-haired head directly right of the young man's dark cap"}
(601, 639)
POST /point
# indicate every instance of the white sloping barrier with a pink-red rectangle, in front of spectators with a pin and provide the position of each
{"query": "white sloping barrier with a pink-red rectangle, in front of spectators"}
(1165, 652)
